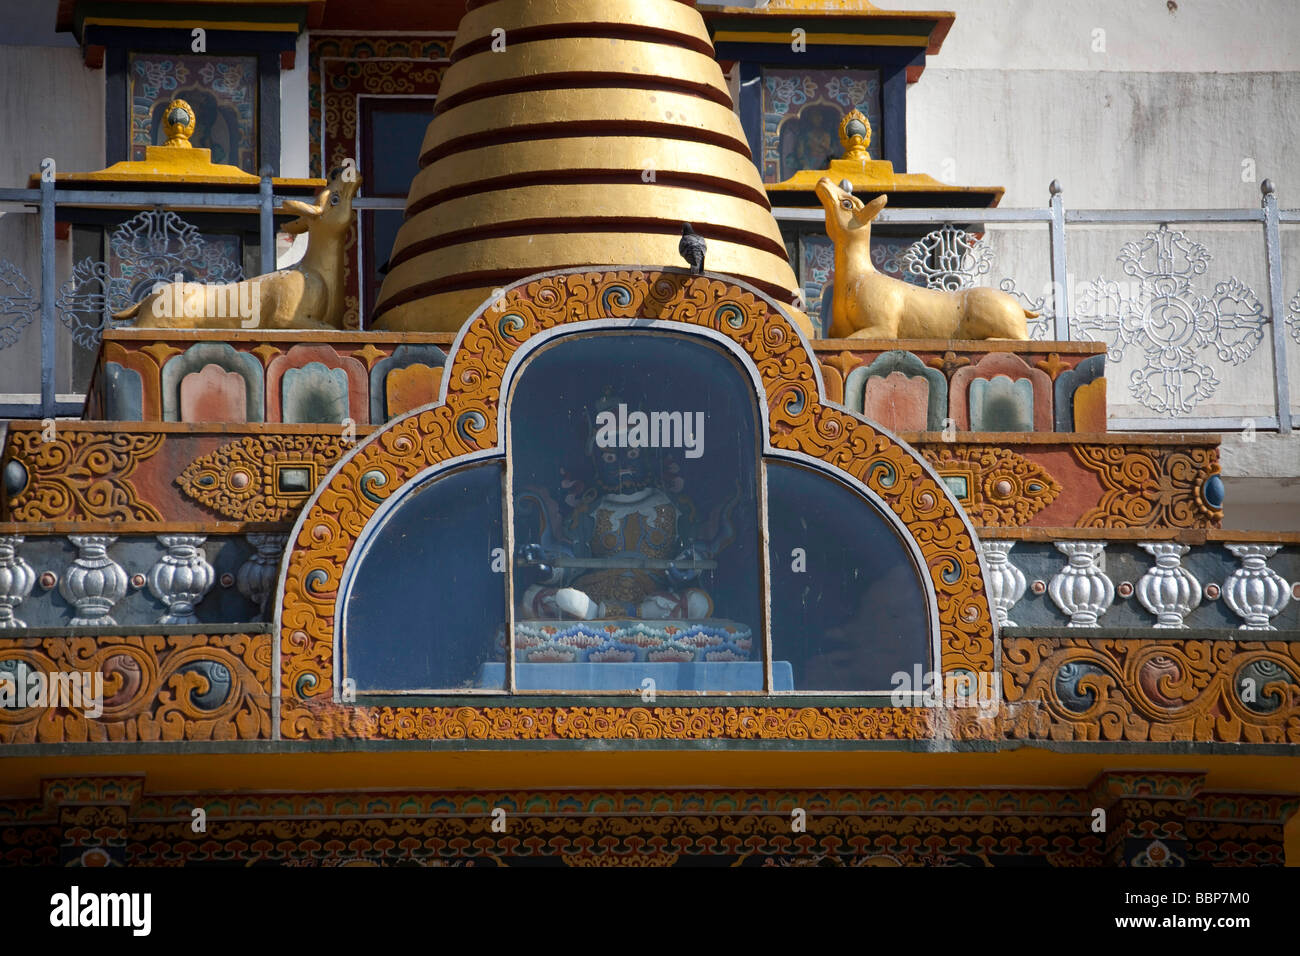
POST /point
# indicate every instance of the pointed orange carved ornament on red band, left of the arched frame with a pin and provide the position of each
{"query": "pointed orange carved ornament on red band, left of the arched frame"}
(261, 479)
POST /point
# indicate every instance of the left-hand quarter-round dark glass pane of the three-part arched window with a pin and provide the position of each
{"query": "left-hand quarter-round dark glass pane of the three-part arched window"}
(426, 608)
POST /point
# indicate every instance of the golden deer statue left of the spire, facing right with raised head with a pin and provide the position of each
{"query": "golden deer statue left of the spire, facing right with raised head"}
(305, 296)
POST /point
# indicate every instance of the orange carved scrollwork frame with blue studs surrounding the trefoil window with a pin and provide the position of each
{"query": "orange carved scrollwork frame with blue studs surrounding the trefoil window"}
(470, 425)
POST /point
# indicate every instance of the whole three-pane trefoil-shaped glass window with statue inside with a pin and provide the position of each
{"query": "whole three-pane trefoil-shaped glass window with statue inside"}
(639, 503)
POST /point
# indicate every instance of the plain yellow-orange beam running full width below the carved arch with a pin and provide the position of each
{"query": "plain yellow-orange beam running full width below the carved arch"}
(469, 769)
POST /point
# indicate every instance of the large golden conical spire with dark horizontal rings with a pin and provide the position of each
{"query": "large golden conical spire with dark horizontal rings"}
(577, 133)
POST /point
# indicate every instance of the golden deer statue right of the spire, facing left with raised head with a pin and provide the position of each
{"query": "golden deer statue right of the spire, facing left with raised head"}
(868, 305)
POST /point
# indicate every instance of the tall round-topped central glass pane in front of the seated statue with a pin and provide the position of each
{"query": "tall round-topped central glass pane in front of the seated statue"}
(635, 517)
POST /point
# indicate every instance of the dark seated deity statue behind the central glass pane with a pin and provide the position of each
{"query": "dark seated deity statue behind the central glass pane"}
(625, 548)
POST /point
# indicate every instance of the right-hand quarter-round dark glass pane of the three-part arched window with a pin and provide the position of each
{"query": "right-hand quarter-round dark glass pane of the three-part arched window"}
(848, 607)
